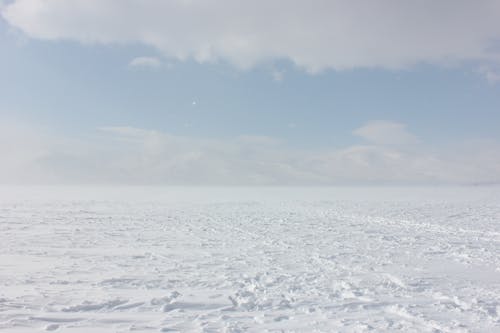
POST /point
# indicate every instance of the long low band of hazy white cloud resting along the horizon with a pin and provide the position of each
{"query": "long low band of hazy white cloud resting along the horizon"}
(128, 155)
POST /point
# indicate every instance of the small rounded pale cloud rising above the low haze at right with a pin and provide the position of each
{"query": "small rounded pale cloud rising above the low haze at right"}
(386, 133)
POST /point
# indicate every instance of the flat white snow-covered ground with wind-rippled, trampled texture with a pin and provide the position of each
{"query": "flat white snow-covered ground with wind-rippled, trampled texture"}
(250, 259)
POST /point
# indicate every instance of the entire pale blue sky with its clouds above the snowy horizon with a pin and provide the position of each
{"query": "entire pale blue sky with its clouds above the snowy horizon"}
(205, 92)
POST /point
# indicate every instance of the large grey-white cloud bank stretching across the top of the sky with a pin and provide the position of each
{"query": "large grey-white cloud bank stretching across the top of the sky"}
(315, 35)
